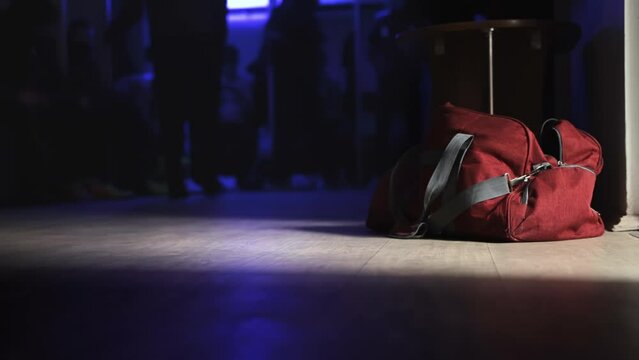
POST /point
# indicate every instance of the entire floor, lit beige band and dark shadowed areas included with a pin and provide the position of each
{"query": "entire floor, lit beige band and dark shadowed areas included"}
(296, 275)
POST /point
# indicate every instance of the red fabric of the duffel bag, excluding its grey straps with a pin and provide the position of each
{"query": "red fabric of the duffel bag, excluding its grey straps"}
(557, 205)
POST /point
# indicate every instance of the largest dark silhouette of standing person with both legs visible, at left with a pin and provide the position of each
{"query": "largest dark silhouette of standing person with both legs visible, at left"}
(187, 51)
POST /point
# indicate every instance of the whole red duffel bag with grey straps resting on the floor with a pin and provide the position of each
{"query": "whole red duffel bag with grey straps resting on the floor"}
(486, 176)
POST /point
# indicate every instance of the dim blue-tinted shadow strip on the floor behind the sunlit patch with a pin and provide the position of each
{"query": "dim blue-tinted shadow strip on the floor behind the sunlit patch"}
(298, 205)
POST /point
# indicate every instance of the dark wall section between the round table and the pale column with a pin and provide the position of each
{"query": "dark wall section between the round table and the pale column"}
(595, 100)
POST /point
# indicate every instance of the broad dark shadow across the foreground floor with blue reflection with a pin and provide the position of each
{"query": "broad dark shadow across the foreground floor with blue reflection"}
(137, 314)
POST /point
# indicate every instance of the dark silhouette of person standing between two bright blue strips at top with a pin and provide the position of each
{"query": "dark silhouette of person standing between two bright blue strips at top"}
(292, 45)
